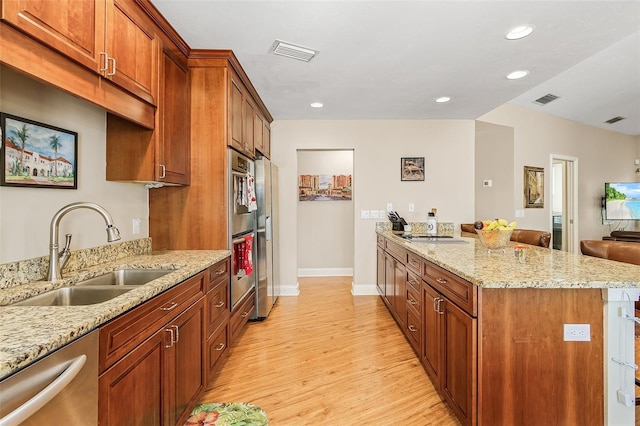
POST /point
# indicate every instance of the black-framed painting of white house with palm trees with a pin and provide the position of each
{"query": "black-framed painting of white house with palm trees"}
(37, 155)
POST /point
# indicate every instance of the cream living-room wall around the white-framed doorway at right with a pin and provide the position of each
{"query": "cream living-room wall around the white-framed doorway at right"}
(602, 156)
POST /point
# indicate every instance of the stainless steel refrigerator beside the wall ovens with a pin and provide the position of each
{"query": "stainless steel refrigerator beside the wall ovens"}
(268, 285)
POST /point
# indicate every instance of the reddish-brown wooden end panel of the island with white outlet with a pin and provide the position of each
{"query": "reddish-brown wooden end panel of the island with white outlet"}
(528, 374)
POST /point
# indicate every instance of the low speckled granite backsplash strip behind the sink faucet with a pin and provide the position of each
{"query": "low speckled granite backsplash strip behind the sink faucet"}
(17, 273)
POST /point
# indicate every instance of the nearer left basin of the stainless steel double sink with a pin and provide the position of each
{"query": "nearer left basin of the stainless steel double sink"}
(74, 296)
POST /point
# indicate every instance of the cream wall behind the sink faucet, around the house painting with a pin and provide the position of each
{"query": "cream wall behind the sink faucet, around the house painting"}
(25, 213)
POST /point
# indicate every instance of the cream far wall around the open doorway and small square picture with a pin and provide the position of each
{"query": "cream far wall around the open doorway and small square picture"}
(447, 145)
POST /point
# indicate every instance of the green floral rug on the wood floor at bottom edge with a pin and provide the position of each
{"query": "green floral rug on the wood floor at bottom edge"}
(227, 414)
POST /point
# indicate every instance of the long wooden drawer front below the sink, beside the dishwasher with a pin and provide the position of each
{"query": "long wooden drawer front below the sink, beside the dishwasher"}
(125, 332)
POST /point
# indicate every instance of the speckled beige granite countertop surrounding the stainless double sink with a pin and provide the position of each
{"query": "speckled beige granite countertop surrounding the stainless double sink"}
(28, 333)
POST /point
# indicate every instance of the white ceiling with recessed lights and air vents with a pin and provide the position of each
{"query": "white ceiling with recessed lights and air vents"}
(391, 59)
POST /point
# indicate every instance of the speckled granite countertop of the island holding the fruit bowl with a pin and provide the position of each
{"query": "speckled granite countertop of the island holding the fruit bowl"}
(542, 268)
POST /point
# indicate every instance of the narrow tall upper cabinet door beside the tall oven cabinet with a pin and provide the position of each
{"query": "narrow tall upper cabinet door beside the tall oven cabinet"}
(173, 140)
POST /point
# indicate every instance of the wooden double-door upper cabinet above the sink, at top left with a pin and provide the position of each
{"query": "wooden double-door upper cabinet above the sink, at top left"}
(111, 37)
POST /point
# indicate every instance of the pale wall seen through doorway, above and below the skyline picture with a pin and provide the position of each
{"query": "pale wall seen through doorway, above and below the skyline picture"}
(325, 228)
